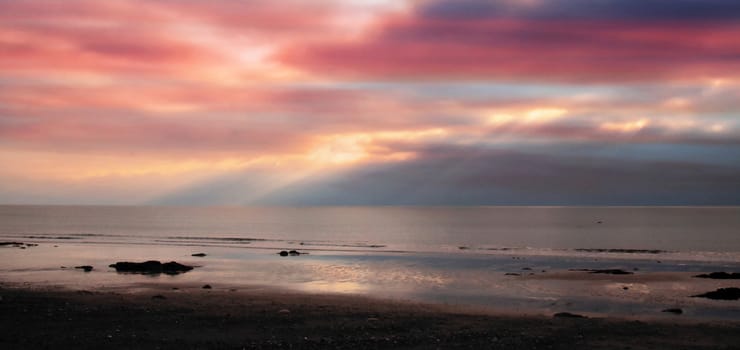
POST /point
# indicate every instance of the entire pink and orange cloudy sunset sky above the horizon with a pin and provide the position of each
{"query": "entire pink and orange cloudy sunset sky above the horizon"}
(370, 102)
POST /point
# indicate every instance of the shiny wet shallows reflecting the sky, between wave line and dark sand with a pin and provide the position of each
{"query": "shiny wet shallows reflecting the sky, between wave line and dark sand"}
(459, 279)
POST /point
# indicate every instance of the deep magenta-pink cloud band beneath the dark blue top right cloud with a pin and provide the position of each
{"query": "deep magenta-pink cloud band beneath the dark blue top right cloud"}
(416, 47)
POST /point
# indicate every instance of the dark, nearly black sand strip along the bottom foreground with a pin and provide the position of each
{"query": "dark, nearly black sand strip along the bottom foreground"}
(192, 317)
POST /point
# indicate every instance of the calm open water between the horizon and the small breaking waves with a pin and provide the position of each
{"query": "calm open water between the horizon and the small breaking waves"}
(708, 232)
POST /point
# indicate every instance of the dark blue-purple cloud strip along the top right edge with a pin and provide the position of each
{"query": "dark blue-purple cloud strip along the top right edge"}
(664, 10)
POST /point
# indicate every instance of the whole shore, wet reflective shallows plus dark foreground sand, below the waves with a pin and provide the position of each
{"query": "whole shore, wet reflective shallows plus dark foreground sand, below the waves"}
(262, 300)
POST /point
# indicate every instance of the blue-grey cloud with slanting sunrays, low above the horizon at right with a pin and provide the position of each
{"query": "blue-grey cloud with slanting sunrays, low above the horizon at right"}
(447, 175)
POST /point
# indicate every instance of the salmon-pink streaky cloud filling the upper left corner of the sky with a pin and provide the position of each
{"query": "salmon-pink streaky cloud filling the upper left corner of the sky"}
(150, 39)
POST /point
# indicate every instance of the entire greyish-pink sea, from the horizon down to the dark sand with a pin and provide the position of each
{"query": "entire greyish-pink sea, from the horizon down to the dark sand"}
(521, 259)
